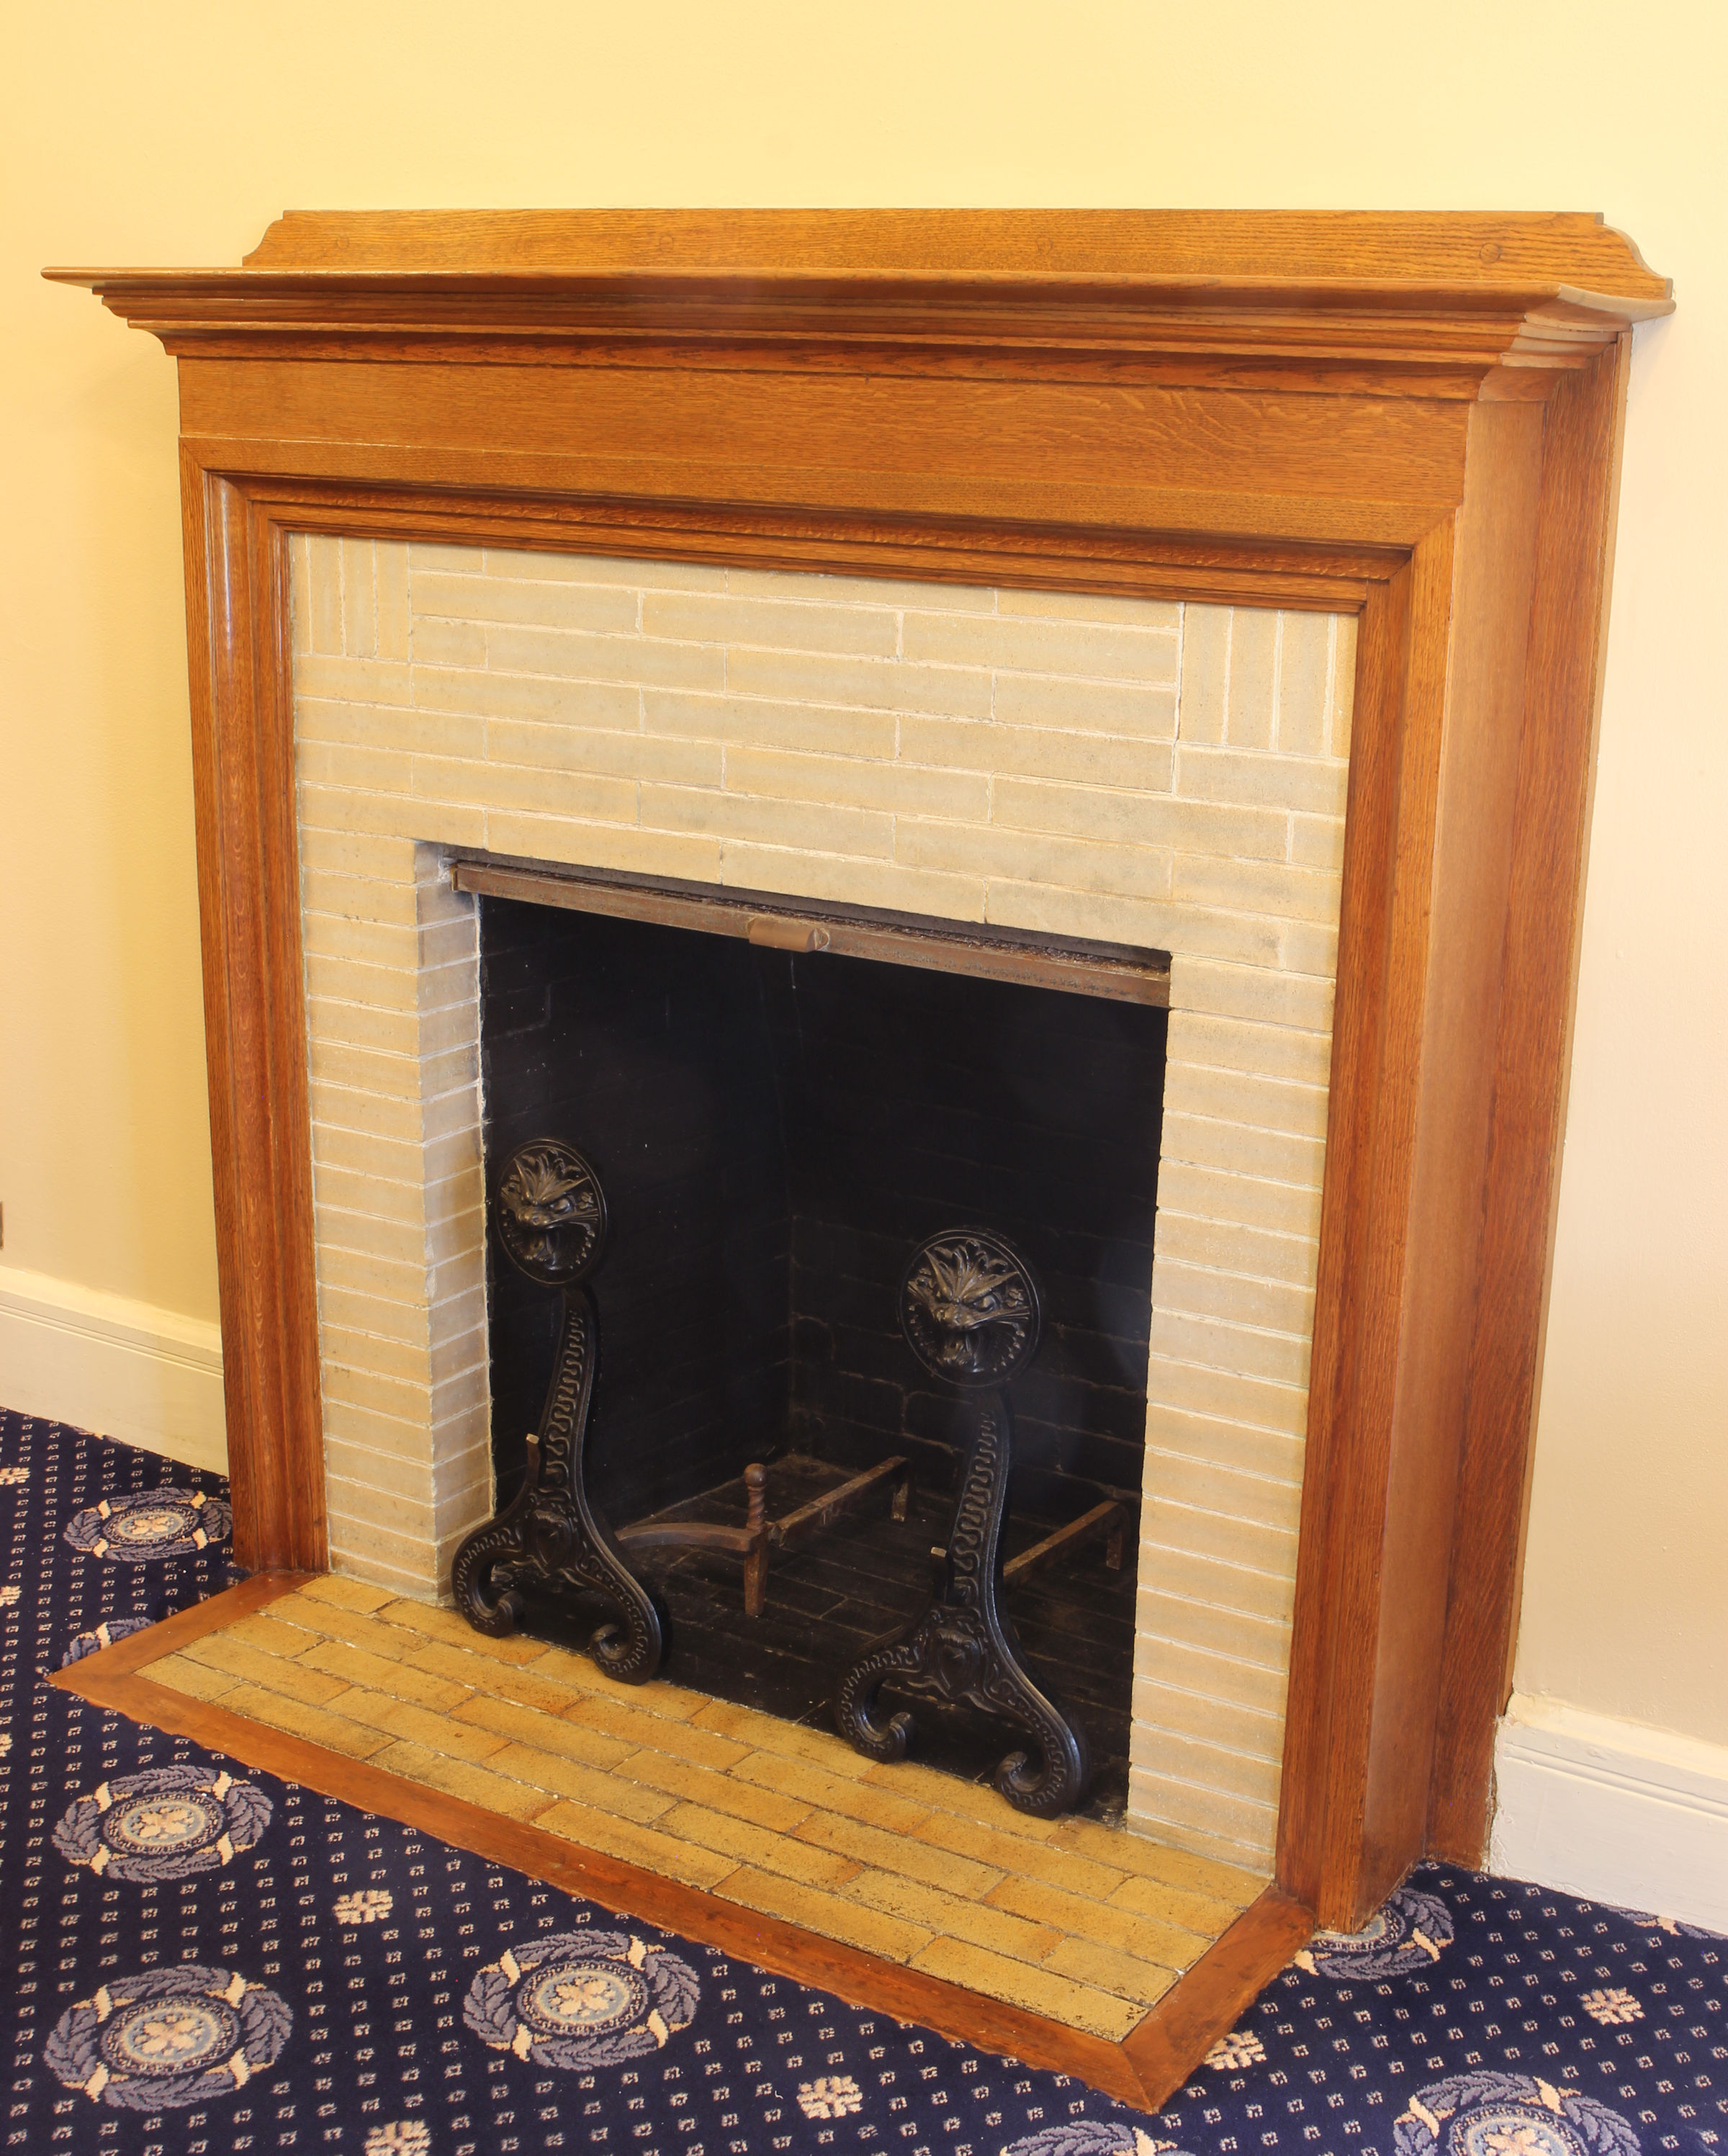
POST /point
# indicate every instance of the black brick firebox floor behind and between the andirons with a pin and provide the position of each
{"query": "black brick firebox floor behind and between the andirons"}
(861, 1584)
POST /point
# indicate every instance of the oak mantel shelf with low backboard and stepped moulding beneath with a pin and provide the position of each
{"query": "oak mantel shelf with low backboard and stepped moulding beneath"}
(1427, 296)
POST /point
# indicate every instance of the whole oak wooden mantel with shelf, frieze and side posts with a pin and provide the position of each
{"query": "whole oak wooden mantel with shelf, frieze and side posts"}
(1410, 419)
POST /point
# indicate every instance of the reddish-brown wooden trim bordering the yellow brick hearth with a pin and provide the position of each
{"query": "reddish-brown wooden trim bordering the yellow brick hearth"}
(1154, 2060)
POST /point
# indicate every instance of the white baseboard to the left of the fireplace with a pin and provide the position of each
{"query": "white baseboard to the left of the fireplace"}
(120, 1368)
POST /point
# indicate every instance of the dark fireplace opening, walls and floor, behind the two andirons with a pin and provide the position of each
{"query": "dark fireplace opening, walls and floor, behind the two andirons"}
(777, 1133)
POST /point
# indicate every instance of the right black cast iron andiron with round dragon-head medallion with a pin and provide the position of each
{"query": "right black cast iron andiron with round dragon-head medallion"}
(971, 1314)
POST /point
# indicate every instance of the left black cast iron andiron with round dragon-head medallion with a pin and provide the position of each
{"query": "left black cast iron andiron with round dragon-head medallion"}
(553, 1228)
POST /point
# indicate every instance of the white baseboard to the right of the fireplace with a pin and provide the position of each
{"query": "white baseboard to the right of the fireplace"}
(1615, 1812)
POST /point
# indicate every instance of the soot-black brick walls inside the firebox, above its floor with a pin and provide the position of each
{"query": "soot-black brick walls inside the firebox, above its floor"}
(775, 1133)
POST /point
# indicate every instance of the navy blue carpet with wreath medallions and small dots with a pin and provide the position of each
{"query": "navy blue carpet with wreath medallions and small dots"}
(210, 1961)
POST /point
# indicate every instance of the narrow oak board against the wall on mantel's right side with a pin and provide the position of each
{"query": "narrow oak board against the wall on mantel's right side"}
(1557, 762)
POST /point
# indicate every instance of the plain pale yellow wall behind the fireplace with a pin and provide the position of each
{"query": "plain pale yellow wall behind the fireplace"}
(173, 135)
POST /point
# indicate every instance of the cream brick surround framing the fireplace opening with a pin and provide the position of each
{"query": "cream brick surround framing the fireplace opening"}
(1130, 771)
